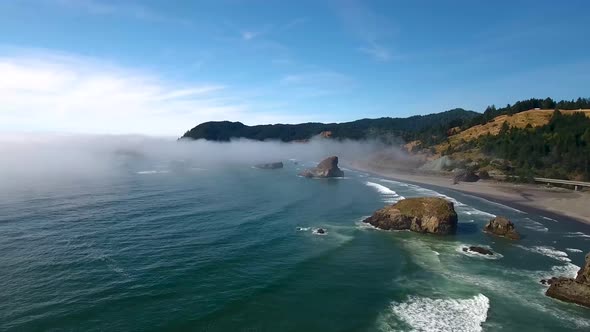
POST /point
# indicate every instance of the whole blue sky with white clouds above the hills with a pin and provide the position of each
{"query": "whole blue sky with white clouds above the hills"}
(162, 67)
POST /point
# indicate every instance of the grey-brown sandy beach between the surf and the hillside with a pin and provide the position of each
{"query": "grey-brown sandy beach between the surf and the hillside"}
(556, 201)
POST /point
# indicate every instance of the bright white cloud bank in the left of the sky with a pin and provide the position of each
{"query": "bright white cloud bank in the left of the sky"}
(45, 91)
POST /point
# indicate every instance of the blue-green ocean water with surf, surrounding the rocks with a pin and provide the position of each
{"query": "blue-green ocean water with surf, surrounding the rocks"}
(154, 247)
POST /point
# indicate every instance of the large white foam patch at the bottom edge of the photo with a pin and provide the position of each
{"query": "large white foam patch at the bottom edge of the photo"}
(425, 314)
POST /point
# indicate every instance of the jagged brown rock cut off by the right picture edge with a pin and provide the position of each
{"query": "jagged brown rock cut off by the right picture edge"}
(573, 290)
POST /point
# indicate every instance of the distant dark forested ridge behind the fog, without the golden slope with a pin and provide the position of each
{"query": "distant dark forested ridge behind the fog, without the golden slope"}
(387, 129)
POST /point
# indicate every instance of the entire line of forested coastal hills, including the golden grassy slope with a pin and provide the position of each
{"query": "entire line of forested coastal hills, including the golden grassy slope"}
(534, 137)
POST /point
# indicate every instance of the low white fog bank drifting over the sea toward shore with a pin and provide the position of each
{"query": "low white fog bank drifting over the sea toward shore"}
(37, 159)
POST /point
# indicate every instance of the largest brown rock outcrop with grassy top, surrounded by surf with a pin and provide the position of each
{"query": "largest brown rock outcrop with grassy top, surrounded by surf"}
(422, 214)
